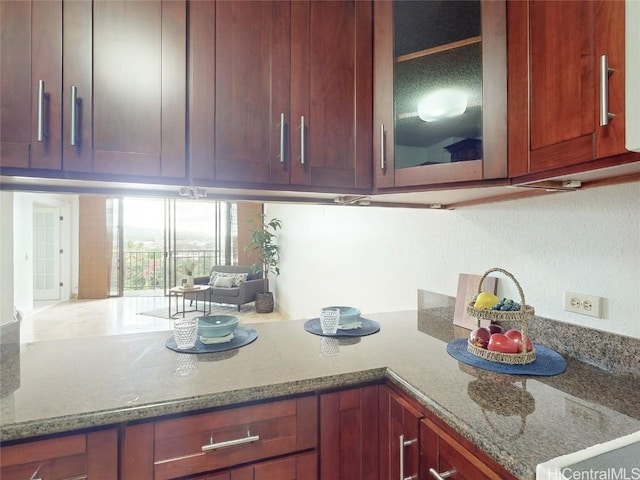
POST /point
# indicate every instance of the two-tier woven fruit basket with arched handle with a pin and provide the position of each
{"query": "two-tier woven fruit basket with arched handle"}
(521, 317)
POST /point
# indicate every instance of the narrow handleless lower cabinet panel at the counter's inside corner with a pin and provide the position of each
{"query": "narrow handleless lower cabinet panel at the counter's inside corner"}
(349, 434)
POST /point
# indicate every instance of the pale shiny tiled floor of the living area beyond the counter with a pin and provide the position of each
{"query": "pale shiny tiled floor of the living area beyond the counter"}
(111, 316)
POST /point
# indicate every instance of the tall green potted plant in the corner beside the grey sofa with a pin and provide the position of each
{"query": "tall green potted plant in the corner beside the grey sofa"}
(263, 241)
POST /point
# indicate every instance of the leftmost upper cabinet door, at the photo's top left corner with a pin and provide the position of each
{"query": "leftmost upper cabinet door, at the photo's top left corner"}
(30, 56)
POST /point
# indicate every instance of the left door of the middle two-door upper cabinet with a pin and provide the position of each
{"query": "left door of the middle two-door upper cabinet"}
(239, 95)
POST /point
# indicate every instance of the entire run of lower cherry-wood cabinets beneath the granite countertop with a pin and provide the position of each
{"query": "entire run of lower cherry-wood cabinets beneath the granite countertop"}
(375, 432)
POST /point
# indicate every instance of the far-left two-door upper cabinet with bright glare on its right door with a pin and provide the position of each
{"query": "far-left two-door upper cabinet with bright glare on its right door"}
(94, 87)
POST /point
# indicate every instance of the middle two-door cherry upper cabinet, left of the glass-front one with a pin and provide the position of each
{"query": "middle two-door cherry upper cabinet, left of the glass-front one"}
(260, 70)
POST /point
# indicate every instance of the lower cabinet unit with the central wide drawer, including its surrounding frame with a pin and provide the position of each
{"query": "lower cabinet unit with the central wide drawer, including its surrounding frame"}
(223, 440)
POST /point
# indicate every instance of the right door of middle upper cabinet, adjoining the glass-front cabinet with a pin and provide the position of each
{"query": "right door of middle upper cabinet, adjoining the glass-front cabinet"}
(331, 138)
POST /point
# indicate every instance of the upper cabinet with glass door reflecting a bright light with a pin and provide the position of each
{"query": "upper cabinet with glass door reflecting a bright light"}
(439, 92)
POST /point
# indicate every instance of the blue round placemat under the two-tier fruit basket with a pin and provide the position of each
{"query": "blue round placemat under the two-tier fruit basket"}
(548, 362)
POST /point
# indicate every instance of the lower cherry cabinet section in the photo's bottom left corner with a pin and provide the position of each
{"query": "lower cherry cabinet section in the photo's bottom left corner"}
(92, 455)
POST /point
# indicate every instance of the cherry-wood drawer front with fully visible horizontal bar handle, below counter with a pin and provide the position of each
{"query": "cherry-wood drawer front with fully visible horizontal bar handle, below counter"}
(205, 442)
